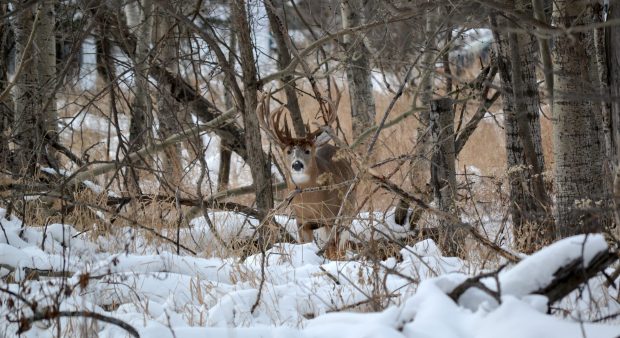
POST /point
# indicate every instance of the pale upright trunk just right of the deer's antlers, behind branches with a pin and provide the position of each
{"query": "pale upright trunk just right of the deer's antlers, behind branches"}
(358, 69)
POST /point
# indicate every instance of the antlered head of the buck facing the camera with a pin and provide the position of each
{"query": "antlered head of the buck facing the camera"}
(300, 152)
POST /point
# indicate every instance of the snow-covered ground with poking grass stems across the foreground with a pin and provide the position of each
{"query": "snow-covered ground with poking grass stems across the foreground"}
(291, 292)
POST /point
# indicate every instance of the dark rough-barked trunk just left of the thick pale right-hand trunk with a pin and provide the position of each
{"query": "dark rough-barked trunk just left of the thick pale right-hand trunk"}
(525, 162)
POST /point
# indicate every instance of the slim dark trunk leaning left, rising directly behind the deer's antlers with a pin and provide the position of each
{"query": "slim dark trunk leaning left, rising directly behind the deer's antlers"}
(279, 31)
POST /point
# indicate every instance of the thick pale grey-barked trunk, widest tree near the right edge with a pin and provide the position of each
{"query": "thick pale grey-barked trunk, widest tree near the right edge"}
(578, 171)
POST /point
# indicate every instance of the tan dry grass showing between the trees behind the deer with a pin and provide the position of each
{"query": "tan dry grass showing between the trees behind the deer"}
(485, 151)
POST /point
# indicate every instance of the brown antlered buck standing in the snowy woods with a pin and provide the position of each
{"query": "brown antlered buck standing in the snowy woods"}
(311, 162)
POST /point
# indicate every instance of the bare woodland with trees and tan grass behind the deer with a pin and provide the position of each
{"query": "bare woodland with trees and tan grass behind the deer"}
(457, 115)
